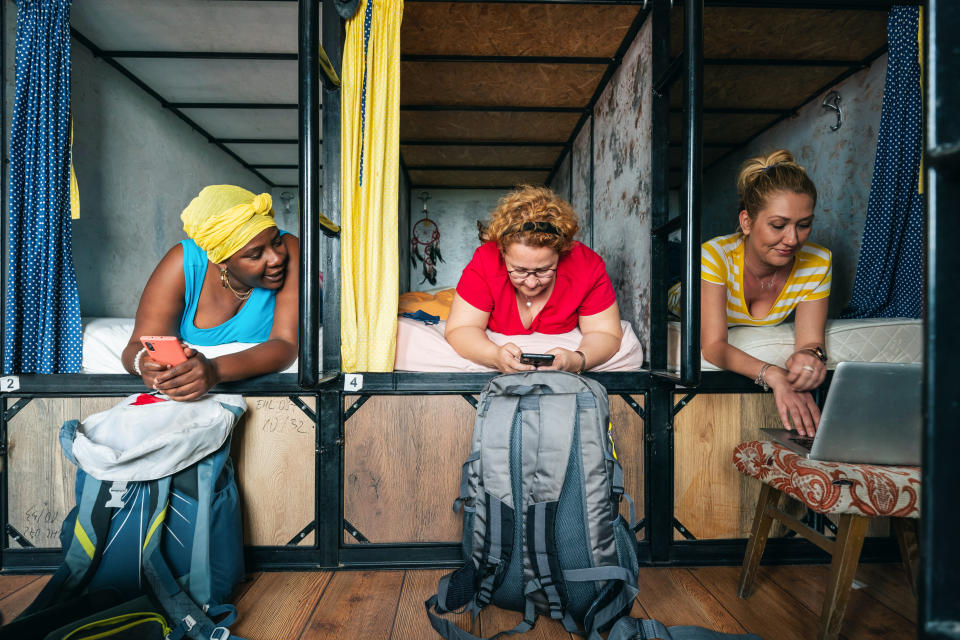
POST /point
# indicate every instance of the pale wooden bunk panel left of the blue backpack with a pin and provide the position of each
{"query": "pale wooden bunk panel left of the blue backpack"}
(40, 479)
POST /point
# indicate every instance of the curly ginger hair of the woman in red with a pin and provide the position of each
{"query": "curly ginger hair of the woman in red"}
(534, 216)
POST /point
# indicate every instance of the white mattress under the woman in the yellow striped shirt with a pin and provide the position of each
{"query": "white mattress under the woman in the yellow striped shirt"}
(866, 340)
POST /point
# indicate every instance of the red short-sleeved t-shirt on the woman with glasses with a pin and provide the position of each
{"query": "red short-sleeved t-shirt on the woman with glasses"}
(583, 288)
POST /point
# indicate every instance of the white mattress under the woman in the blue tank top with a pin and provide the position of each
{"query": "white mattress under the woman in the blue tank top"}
(105, 338)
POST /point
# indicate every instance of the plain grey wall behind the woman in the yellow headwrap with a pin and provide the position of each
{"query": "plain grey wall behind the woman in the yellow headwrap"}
(137, 166)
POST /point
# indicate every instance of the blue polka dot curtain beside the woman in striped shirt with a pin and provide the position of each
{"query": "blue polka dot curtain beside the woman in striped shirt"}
(889, 280)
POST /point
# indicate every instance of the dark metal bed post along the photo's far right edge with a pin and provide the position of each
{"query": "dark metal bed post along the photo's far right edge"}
(940, 573)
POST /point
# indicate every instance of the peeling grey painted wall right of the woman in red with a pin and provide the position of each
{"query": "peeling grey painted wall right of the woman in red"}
(621, 182)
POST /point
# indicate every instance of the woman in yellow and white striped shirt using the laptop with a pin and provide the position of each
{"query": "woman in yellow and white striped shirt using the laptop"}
(759, 275)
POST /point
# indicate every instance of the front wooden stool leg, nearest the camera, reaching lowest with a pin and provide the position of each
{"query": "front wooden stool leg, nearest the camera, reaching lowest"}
(846, 556)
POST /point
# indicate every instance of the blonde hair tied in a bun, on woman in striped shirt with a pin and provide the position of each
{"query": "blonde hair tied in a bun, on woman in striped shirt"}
(764, 176)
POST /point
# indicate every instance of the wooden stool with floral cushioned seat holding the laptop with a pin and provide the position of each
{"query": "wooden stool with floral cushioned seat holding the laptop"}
(853, 493)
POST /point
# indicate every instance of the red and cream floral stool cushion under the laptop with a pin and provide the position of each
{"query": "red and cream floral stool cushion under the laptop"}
(833, 487)
